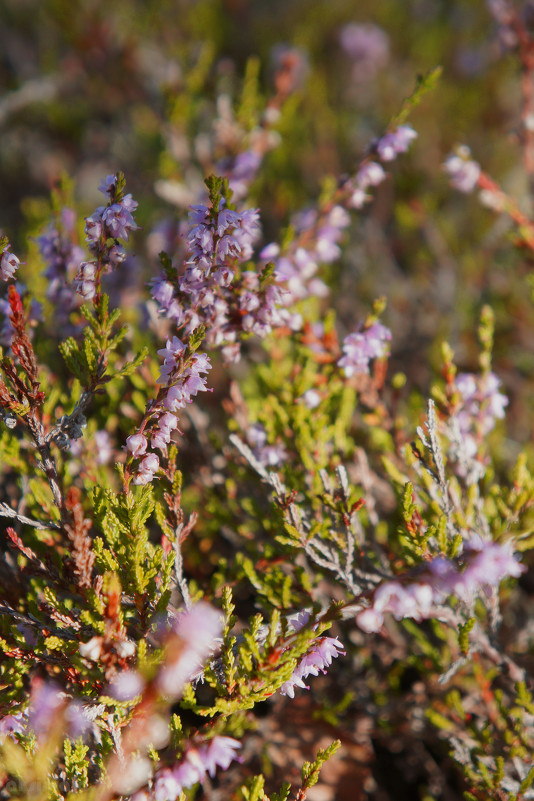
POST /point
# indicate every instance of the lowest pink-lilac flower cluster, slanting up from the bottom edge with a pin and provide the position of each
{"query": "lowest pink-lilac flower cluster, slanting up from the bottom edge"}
(197, 763)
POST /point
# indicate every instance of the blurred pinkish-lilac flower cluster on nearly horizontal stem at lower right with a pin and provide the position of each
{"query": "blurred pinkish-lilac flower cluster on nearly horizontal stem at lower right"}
(485, 565)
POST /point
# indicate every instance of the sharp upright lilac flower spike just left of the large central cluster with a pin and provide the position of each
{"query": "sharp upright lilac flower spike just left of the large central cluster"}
(103, 228)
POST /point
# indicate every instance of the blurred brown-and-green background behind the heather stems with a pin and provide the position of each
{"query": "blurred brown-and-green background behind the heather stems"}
(88, 88)
